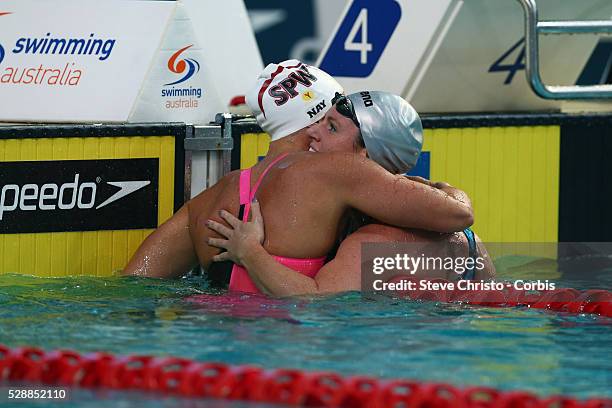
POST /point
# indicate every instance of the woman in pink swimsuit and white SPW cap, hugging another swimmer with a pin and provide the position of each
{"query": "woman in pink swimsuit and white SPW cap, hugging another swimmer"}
(314, 191)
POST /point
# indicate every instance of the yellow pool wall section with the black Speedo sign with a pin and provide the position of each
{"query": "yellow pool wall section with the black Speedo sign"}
(91, 238)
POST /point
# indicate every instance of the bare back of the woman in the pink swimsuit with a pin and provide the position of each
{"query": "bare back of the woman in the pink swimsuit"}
(300, 210)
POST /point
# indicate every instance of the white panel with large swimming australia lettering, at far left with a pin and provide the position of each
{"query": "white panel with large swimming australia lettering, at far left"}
(76, 60)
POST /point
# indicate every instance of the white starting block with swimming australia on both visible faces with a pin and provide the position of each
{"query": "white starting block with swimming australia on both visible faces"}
(122, 61)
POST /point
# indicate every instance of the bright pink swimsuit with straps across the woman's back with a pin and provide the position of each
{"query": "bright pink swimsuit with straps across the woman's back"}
(240, 280)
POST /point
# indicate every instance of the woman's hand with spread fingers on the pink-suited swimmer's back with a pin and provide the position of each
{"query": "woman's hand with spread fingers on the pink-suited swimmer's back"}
(242, 239)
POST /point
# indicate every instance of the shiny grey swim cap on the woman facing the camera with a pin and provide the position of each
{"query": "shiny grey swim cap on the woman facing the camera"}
(391, 129)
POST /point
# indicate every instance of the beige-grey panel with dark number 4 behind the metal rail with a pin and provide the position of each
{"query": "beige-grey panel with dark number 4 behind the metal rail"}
(481, 63)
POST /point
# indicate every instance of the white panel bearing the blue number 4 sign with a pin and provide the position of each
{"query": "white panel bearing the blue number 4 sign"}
(386, 44)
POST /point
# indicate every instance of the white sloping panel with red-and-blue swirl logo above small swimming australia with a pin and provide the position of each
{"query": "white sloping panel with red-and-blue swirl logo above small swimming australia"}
(208, 56)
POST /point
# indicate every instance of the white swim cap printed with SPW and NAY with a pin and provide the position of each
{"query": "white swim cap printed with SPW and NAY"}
(290, 96)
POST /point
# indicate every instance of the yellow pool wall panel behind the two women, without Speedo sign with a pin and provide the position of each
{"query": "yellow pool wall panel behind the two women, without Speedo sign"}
(510, 173)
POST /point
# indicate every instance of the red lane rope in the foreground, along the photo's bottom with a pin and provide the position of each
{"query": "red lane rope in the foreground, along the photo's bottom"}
(188, 378)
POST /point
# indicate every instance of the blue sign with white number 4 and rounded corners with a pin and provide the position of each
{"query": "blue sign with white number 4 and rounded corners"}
(361, 38)
